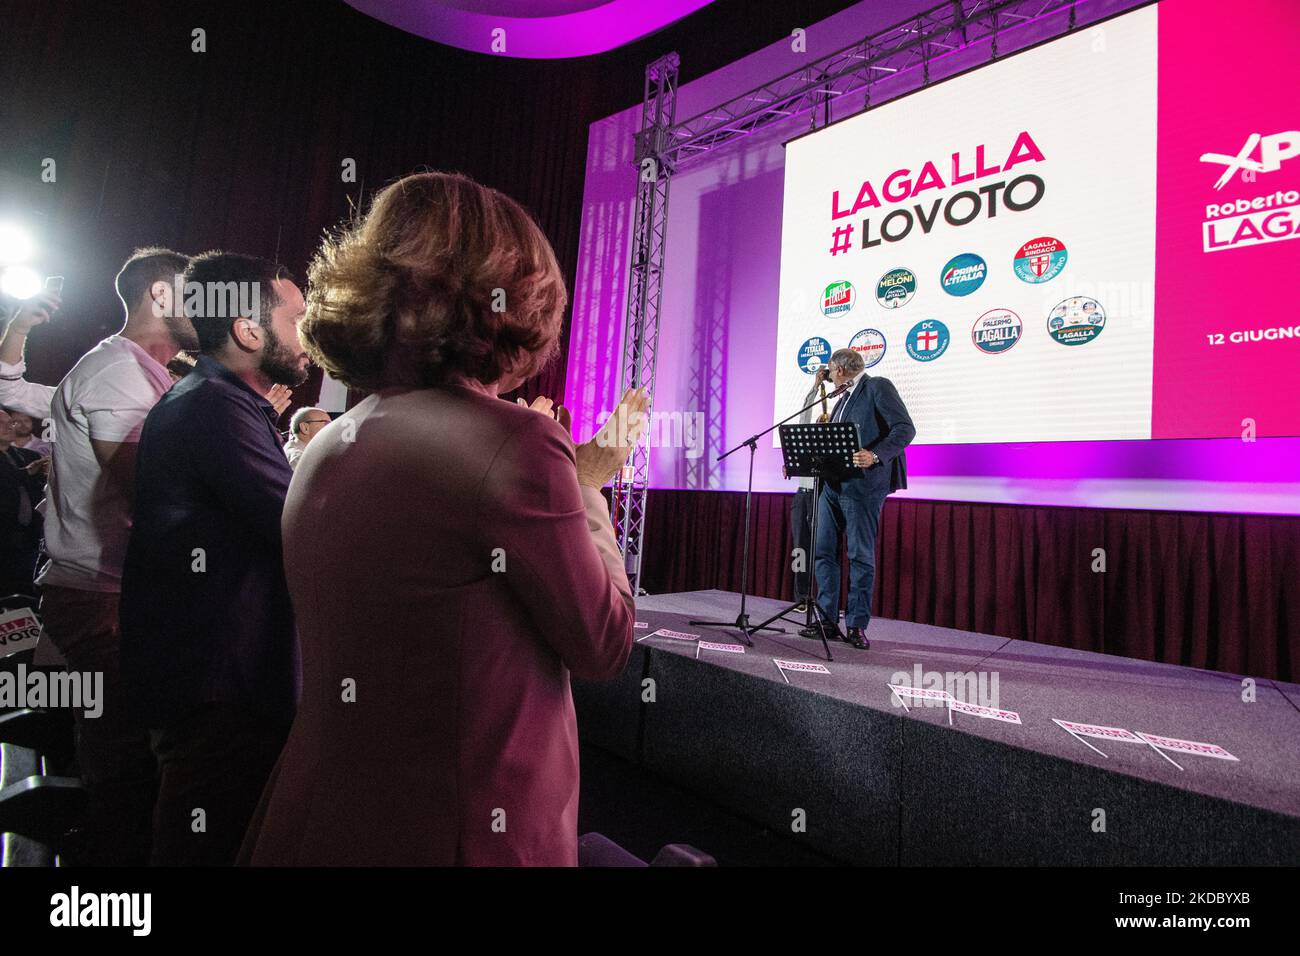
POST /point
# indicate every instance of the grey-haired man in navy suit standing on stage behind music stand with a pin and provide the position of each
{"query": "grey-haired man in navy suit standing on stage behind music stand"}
(852, 501)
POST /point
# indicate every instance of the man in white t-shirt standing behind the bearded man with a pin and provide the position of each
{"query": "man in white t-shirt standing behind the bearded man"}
(98, 412)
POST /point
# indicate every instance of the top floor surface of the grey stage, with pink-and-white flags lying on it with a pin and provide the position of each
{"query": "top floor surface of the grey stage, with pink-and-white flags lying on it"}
(1041, 684)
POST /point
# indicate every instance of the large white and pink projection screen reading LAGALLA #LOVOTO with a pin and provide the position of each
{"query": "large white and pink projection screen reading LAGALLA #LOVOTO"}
(1047, 249)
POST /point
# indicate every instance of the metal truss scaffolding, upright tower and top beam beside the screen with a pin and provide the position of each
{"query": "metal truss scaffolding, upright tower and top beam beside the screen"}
(872, 68)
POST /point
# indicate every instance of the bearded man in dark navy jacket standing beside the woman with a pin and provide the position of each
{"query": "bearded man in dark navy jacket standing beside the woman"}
(210, 656)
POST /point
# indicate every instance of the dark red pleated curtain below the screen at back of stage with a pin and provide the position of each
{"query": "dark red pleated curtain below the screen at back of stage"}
(1201, 590)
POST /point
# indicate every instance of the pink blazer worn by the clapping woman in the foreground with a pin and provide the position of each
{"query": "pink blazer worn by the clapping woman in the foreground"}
(448, 574)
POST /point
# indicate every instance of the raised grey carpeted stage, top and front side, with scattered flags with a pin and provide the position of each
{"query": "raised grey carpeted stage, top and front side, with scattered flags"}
(835, 762)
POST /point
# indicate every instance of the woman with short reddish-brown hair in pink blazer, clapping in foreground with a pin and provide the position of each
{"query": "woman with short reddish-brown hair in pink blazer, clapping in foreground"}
(449, 555)
